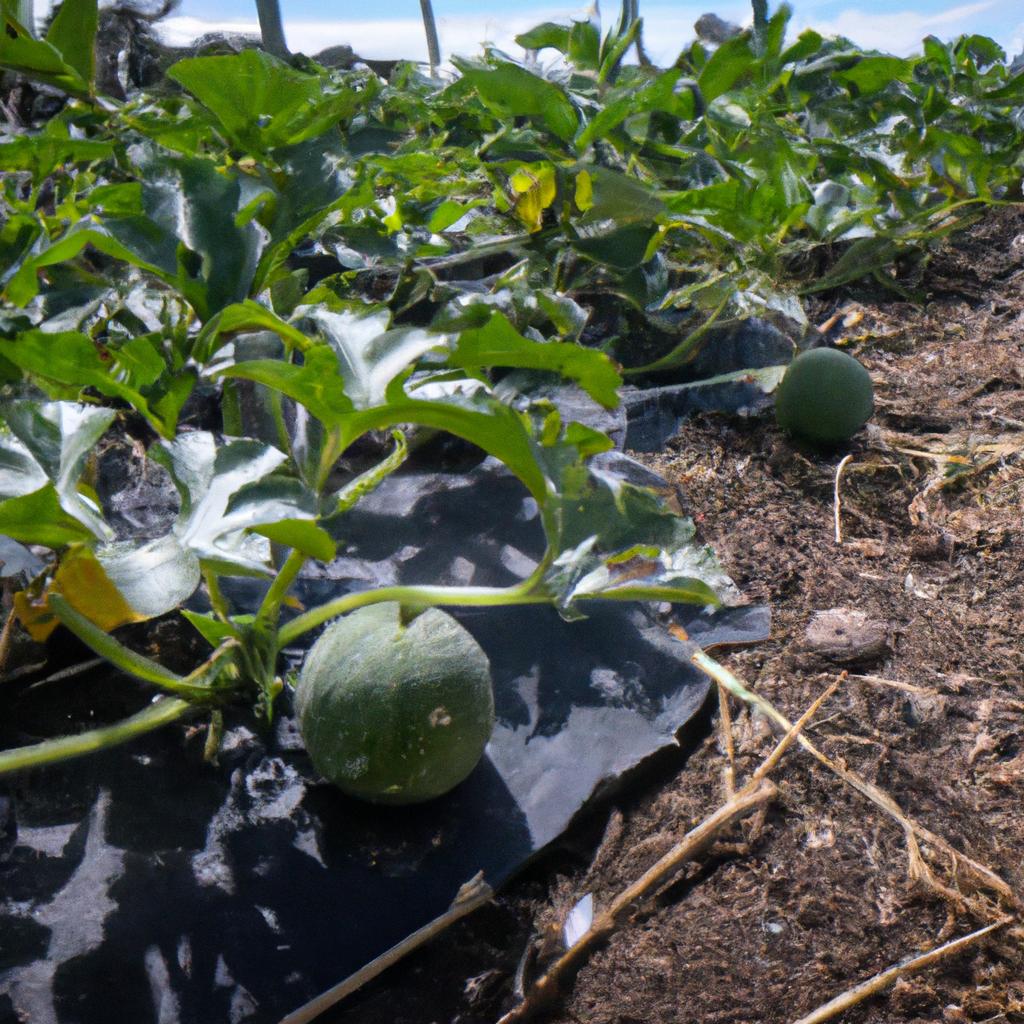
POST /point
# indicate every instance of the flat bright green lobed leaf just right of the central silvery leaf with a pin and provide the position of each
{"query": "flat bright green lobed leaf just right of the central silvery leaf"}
(499, 345)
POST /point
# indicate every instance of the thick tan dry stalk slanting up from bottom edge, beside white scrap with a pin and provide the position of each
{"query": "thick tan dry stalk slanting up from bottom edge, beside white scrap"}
(755, 795)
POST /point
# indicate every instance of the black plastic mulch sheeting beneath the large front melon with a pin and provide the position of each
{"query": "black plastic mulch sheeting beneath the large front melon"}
(149, 884)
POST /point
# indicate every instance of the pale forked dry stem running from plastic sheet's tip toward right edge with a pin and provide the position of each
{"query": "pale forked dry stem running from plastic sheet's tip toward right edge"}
(913, 831)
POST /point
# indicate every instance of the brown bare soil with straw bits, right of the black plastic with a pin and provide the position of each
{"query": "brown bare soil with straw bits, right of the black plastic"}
(818, 894)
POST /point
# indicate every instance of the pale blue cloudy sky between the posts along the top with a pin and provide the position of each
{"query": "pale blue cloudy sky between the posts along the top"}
(393, 28)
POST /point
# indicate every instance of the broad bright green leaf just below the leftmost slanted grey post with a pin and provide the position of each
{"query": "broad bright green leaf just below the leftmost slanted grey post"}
(262, 104)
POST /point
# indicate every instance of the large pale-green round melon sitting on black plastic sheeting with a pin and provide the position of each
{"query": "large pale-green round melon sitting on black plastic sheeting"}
(396, 713)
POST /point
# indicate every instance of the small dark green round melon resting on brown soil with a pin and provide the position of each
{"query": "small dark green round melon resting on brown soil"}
(825, 398)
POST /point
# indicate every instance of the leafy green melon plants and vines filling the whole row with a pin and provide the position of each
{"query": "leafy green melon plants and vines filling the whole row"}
(419, 257)
